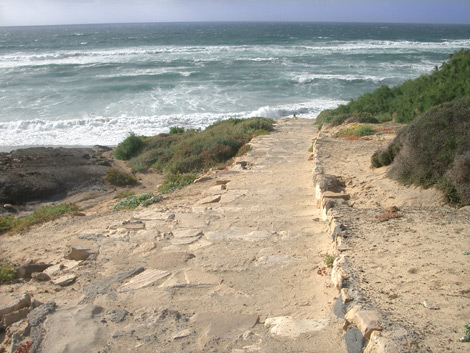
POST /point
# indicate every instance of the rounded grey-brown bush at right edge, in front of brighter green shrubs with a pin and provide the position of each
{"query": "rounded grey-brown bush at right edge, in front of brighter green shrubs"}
(435, 150)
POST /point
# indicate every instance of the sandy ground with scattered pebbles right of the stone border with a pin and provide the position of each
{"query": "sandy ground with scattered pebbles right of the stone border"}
(404, 262)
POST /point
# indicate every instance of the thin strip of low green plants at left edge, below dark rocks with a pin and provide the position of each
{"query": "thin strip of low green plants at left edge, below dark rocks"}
(40, 215)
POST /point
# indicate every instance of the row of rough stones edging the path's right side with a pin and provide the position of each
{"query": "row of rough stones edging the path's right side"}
(364, 325)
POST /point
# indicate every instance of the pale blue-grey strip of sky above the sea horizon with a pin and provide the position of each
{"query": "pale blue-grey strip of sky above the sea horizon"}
(45, 12)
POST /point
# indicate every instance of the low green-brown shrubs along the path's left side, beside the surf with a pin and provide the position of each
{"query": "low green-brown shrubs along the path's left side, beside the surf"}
(183, 153)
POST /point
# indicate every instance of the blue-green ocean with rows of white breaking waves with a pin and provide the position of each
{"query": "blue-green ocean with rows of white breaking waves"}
(94, 84)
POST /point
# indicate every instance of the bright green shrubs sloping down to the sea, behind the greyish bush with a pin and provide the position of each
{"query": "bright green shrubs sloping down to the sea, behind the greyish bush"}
(409, 100)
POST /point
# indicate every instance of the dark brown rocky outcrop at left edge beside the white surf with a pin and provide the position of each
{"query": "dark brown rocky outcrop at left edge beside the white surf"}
(45, 174)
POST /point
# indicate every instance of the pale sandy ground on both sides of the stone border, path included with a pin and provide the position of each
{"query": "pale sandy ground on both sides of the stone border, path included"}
(231, 264)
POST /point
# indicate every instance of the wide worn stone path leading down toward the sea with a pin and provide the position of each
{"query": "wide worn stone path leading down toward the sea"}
(233, 270)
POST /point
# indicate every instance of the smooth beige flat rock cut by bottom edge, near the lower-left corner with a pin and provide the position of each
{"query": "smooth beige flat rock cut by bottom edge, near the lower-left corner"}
(74, 330)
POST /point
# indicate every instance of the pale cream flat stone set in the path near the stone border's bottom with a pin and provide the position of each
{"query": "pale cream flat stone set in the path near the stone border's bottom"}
(292, 327)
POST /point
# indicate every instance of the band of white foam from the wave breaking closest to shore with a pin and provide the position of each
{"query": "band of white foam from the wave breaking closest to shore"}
(88, 131)
